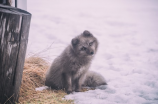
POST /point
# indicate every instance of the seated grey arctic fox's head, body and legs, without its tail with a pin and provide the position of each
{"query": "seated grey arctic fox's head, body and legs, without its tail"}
(68, 71)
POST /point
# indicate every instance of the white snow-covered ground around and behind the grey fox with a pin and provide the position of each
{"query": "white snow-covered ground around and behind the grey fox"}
(127, 31)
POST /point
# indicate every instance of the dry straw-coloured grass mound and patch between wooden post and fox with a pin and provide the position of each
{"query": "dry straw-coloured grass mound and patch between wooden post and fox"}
(33, 77)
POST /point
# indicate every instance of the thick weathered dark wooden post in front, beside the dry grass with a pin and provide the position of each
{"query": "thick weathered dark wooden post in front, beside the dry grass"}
(14, 30)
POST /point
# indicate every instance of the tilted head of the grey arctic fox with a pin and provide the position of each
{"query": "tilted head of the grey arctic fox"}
(85, 44)
